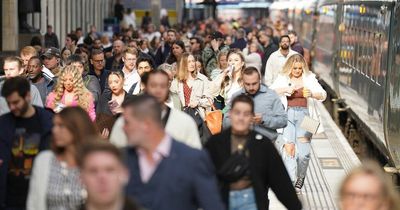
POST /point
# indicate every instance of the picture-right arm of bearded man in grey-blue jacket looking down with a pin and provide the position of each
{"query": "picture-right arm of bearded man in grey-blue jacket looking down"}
(276, 117)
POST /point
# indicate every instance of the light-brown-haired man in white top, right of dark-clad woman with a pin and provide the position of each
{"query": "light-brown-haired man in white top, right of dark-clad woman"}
(131, 75)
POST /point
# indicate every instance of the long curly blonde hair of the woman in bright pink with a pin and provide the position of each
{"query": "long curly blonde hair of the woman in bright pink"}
(80, 91)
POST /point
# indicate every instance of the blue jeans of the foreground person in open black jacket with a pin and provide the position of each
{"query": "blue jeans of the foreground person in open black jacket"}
(242, 200)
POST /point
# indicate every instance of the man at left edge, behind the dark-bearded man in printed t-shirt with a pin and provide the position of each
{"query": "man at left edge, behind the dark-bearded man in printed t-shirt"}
(13, 68)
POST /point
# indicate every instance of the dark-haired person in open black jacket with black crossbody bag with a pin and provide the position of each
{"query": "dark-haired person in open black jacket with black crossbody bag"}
(258, 164)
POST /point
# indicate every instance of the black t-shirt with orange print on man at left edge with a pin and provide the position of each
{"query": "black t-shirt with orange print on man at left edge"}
(25, 146)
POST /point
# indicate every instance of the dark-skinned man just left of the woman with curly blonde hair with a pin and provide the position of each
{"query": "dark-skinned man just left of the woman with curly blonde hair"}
(44, 84)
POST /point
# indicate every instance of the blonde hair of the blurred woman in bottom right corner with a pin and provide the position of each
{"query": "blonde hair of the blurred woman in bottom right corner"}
(387, 189)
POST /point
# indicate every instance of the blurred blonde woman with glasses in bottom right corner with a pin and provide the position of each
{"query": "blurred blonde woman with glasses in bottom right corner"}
(368, 187)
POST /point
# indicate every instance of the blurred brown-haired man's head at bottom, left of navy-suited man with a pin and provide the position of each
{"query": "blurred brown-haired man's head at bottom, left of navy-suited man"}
(104, 176)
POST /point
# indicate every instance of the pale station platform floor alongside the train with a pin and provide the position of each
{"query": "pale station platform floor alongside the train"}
(331, 159)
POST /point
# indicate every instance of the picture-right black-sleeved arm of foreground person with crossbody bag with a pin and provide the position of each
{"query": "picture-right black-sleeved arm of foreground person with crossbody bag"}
(279, 180)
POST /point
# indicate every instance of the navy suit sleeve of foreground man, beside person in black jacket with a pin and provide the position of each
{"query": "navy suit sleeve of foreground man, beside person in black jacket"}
(205, 183)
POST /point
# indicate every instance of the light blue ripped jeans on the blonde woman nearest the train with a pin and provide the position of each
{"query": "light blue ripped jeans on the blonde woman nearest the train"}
(297, 165)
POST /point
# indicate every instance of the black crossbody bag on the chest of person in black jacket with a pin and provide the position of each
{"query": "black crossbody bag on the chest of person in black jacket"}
(236, 167)
